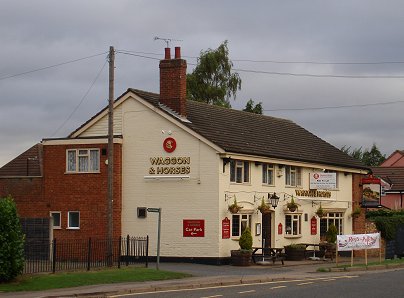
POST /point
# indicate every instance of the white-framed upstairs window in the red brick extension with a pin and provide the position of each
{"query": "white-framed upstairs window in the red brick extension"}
(83, 160)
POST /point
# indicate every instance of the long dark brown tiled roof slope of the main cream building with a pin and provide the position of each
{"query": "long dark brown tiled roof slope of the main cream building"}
(247, 133)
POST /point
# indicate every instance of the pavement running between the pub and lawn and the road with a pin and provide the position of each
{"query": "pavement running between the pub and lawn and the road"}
(211, 275)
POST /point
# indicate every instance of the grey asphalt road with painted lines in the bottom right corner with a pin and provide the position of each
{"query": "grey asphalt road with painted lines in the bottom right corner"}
(378, 284)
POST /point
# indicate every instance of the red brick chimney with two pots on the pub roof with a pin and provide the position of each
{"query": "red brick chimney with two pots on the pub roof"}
(173, 82)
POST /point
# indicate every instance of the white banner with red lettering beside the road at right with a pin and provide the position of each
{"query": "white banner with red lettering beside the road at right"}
(358, 241)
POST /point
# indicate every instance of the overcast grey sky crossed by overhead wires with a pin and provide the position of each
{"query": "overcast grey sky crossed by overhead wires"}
(36, 34)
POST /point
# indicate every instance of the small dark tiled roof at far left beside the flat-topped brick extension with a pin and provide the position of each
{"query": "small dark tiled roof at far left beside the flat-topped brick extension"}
(27, 164)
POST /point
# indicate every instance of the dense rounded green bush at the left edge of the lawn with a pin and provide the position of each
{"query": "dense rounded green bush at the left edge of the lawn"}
(11, 241)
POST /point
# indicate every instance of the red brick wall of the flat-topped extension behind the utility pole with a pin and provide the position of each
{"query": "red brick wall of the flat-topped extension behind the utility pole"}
(84, 192)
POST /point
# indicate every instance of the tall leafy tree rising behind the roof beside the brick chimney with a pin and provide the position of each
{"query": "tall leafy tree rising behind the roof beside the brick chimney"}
(212, 80)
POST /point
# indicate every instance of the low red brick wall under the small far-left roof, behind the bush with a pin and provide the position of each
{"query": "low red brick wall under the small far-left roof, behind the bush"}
(27, 194)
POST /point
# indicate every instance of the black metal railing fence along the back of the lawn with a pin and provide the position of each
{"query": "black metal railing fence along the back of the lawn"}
(84, 254)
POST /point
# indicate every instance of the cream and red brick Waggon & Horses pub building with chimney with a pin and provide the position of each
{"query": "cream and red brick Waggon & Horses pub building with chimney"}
(193, 160)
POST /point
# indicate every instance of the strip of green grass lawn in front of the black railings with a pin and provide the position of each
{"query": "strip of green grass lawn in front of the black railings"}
(75, 279)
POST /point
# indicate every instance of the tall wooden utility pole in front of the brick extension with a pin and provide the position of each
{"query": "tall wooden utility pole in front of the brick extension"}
(110, 199)
